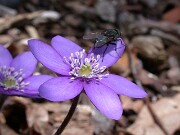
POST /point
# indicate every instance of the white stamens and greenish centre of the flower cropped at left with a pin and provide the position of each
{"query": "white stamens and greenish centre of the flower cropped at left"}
(11, 79)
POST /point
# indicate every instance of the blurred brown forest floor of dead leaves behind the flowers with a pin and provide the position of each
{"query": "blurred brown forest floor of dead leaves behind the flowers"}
(151, 32)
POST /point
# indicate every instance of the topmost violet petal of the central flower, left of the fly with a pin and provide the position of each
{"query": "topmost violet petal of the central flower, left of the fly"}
(64, 46)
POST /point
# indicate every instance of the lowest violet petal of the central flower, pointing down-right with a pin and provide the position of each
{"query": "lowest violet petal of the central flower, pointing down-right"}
(105, 99)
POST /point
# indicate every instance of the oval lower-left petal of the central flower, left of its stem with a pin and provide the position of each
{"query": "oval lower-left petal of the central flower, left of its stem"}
(60, 89)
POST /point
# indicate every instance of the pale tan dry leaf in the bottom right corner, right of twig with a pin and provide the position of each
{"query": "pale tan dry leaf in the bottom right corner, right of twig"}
(168, 112)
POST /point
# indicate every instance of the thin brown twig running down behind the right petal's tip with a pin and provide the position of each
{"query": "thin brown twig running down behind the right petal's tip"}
(138, 82)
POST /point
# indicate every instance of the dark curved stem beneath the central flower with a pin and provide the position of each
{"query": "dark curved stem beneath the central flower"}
(68, 116)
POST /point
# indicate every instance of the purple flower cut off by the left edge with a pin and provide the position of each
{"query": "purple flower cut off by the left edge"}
(15, 74)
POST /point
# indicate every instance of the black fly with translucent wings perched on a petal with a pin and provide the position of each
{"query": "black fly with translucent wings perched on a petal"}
(106, 37)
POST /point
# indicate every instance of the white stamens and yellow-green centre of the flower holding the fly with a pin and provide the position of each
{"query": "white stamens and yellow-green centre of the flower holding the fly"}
(85, 67)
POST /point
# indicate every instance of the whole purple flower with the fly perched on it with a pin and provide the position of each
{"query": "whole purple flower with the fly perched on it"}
(83, 72)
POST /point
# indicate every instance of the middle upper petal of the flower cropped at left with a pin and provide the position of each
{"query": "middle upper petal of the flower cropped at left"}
(25, 61)
